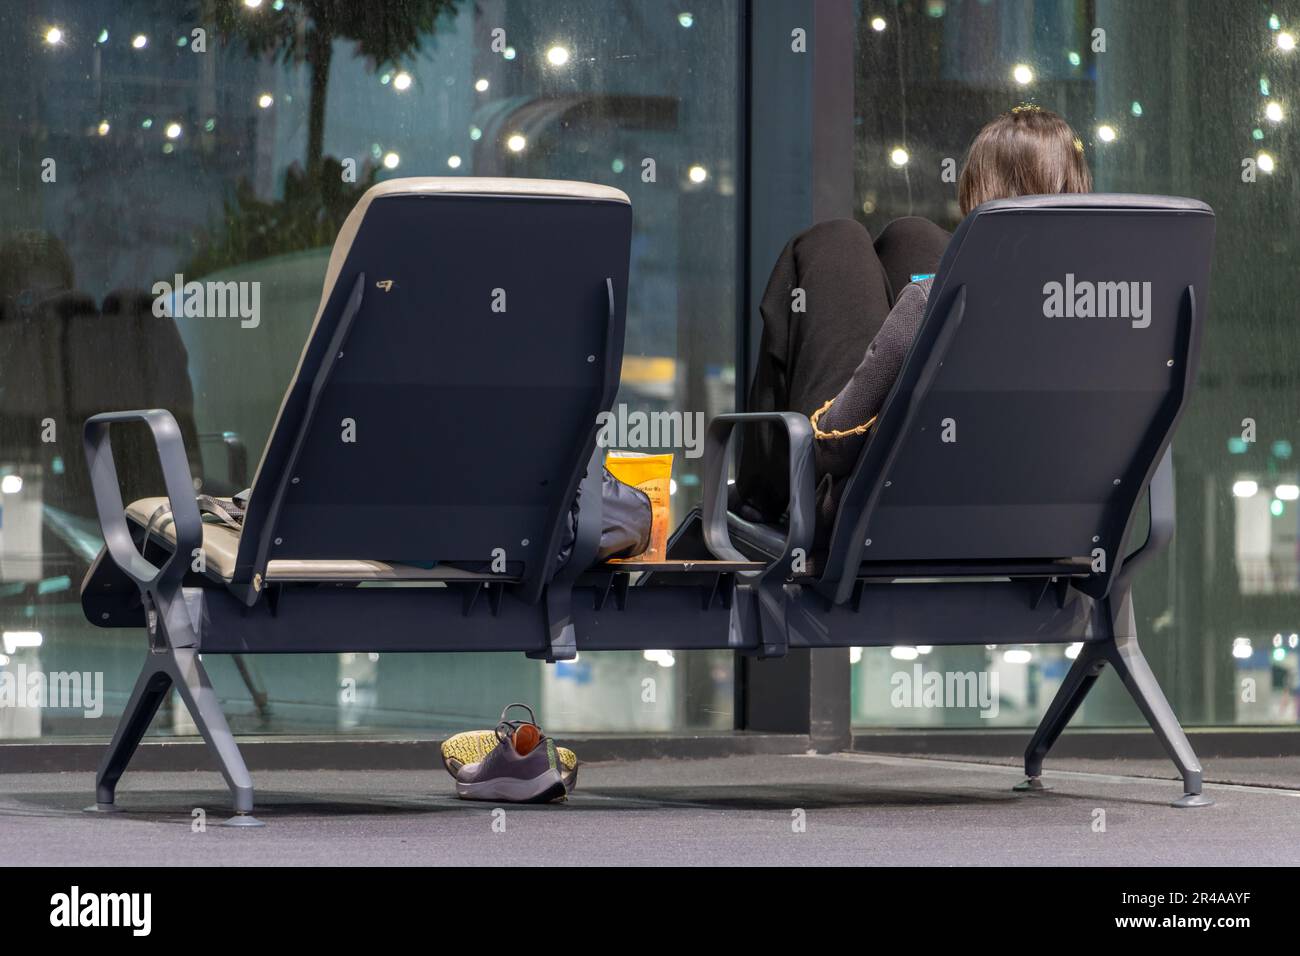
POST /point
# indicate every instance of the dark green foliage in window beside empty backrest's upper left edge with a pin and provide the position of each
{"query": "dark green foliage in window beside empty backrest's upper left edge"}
(310, 217)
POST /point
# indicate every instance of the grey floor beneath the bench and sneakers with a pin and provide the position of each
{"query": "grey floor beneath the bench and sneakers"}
(859, 810)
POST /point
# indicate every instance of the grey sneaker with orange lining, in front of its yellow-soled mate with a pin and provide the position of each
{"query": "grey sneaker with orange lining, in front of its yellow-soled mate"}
(522, 769)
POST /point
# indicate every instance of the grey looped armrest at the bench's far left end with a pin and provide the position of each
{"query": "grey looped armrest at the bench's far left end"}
(109, 496)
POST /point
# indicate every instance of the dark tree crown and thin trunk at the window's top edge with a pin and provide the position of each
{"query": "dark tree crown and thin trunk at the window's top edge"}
(385, 33)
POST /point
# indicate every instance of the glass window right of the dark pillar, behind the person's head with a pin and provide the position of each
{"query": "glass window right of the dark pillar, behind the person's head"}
(1168, 98)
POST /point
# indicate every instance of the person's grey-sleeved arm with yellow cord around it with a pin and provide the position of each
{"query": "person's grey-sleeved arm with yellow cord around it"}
(840, 427)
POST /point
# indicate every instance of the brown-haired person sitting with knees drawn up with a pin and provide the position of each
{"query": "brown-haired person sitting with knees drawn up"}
(861, 308)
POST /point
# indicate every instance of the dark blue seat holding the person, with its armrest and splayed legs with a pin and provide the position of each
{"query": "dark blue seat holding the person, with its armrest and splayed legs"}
(998, 495)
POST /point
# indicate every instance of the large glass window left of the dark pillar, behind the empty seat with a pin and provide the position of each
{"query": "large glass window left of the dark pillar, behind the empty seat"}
(154, 144)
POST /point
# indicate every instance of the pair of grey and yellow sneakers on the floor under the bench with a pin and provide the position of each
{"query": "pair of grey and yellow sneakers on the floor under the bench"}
(515, 763)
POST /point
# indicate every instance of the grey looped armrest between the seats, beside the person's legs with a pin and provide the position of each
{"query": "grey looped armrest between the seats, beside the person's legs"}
(801, 508)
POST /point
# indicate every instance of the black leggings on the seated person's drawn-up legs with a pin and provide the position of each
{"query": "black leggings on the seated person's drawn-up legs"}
(850, 283)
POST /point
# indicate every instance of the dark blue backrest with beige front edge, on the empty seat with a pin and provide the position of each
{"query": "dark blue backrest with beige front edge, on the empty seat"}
(447, 400)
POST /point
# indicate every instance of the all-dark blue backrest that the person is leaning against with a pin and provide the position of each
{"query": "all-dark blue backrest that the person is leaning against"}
(1058, 352)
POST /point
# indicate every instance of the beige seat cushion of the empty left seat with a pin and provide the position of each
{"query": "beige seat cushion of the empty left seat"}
(222, 547)
